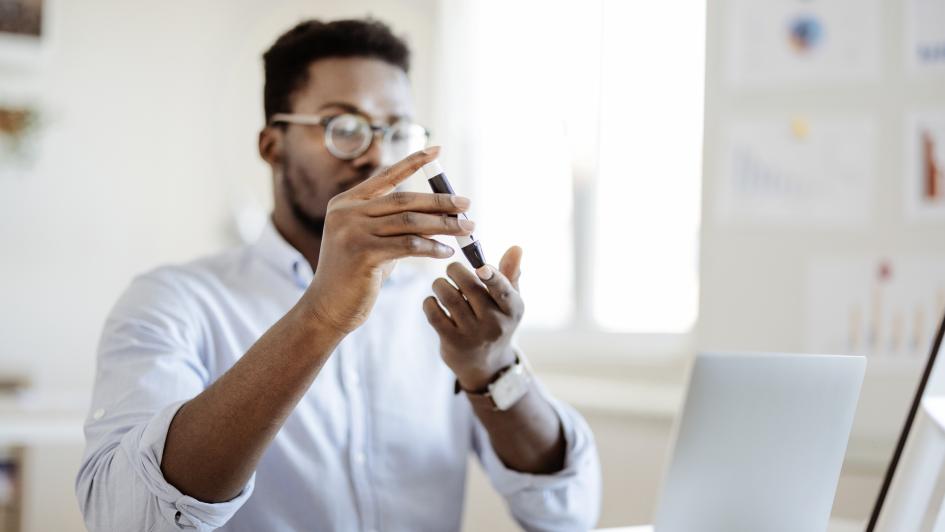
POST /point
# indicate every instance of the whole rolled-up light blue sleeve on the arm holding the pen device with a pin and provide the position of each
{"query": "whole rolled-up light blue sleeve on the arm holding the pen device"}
(148, 365)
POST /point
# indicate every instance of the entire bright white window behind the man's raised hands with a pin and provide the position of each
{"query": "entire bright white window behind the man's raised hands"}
(580, 125)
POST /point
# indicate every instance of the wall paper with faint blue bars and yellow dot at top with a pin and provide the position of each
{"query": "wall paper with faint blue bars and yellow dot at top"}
(798, 170)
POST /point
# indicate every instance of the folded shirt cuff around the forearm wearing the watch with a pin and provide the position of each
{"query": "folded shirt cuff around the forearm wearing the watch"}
(580, 455)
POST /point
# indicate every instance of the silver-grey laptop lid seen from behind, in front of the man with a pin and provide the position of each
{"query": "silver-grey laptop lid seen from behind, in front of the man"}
(760, 443)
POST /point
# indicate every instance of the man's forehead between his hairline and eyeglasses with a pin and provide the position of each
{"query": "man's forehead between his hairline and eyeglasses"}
(376, 88)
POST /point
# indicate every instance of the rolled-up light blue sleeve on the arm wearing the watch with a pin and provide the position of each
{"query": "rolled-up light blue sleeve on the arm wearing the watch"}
(568, 500)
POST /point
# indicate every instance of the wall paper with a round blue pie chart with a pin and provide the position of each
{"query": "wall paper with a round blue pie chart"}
(775, 42)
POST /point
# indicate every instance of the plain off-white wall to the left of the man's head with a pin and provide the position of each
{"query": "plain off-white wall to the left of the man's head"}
(152, 111)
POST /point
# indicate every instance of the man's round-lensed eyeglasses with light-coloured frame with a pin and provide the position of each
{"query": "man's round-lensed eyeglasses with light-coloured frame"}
(349, 135)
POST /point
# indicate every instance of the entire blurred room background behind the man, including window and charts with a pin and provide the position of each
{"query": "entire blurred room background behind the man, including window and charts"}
(666, 216)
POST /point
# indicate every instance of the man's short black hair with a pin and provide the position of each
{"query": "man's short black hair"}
(286, 62)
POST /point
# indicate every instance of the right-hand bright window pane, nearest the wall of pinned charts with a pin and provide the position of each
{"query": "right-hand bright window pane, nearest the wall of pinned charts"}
(648, 188)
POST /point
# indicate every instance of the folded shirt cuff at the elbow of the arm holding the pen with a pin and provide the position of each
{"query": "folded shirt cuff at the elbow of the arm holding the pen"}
(144, 446)
